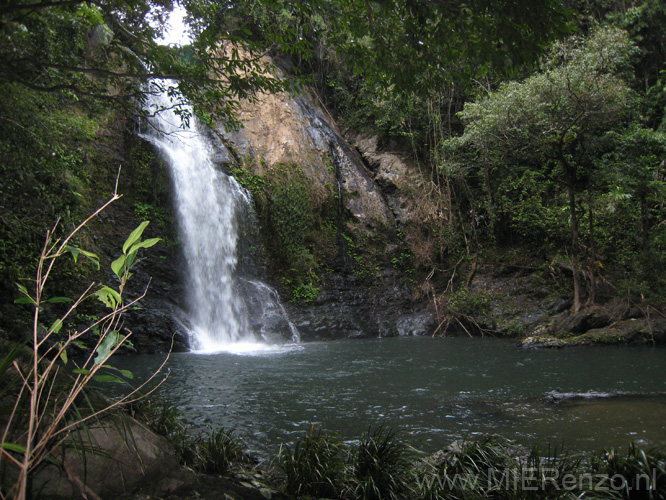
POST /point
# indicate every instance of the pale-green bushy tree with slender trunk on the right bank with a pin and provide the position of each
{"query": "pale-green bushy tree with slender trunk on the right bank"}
(554, 118)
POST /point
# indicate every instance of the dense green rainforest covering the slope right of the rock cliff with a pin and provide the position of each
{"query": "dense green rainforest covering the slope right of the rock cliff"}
(539, 124)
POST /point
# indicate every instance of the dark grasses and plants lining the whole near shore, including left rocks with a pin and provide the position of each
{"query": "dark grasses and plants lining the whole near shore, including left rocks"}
(320, 465)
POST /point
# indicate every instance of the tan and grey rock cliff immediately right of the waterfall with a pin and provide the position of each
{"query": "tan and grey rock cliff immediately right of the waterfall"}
(362, 283)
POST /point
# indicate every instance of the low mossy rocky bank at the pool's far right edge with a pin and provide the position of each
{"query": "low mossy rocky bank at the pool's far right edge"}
(533, 305)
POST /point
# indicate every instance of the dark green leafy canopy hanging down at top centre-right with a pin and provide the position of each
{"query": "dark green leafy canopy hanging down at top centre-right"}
(420, 46)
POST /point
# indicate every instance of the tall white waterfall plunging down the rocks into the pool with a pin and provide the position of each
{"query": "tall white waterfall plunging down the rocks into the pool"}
(208, 204)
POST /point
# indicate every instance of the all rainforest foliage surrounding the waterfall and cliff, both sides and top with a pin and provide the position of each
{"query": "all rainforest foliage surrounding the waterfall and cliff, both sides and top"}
(540, 125)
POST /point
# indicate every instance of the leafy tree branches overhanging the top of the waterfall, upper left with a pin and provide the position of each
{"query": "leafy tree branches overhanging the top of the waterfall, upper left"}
(109, 50)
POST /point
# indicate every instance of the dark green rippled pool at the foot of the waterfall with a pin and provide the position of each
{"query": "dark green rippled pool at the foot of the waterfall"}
(434, 390)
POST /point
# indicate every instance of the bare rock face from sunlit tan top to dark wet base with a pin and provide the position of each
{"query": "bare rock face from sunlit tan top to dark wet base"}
(281, 129)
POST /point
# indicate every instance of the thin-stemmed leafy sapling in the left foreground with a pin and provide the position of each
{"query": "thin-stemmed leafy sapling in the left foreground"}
(45, 415)
